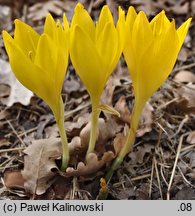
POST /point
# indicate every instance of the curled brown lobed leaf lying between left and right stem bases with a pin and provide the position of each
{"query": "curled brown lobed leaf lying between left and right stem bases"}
(93, 164)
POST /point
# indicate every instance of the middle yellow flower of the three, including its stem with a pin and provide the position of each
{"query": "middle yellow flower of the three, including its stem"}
(95, 50)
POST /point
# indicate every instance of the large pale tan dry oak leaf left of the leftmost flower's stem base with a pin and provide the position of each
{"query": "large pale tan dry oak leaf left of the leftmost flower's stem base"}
(39, 164)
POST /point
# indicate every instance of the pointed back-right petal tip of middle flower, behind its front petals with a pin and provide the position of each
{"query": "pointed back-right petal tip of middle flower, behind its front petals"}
(104, 18)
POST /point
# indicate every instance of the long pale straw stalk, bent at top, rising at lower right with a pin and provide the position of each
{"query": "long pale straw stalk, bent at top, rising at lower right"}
(175, 164)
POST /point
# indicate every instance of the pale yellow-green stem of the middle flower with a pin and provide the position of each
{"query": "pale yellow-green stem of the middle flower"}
(94, 127)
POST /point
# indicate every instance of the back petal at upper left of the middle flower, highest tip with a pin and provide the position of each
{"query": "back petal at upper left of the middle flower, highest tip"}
(83, 20)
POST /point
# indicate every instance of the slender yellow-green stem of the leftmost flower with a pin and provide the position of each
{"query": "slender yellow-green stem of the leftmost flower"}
(65, 149)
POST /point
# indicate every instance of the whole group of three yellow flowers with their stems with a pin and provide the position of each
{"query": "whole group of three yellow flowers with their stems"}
(40, 61)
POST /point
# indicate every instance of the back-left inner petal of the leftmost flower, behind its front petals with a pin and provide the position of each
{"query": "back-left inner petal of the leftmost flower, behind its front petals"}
(26, 38)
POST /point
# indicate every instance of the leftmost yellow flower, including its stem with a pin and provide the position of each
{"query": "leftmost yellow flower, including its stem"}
(39, 63)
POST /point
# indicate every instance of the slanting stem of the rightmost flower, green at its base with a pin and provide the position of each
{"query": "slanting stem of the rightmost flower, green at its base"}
(137, 110)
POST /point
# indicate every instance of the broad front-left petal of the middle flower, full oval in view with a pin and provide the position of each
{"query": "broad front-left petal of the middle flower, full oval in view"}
(87, 62)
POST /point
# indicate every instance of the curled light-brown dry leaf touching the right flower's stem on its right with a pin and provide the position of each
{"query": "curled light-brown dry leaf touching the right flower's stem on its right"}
(146, 121)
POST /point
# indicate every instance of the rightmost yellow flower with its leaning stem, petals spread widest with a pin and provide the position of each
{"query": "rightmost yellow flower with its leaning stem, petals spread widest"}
(150, 51)
